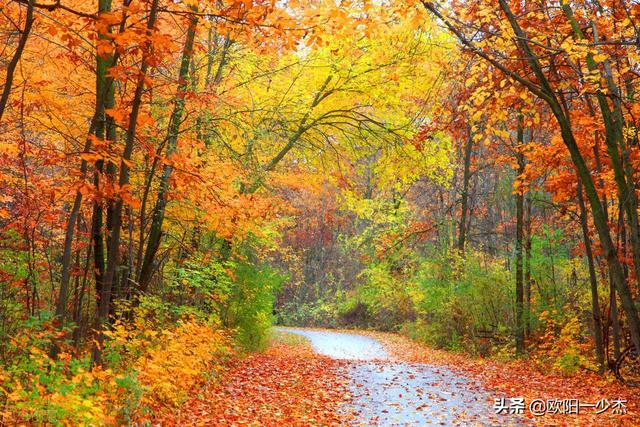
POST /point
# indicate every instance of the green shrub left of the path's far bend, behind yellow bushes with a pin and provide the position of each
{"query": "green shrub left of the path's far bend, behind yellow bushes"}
(238, 292)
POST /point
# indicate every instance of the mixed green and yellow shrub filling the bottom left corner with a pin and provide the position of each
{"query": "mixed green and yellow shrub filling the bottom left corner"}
(41, 390)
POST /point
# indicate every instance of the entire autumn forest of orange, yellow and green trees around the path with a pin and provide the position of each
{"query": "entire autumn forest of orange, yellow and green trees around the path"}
(176, 177)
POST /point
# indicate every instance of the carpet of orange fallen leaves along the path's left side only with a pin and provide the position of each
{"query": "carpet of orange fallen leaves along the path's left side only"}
(287, 385)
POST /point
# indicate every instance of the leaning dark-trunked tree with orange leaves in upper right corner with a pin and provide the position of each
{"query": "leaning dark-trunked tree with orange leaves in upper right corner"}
(542, 70)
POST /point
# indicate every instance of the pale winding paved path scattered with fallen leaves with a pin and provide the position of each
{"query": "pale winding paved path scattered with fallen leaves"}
(389, 392)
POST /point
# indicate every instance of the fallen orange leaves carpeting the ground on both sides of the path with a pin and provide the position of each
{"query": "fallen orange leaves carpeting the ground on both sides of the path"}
(291, 385)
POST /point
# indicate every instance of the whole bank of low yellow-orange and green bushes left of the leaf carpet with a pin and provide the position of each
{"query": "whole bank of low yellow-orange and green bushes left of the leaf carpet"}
(145, 370)
